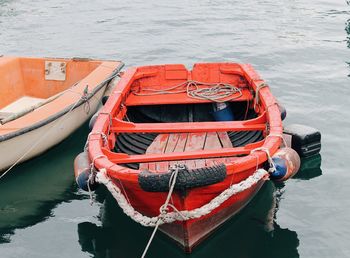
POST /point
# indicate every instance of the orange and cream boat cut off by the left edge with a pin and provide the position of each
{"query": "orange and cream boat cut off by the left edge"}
(43, 100)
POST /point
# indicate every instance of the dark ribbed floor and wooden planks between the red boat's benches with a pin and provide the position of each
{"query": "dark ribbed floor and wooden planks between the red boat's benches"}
(141, 143)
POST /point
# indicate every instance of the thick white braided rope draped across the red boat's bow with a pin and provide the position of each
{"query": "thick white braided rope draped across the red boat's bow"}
(169, 217)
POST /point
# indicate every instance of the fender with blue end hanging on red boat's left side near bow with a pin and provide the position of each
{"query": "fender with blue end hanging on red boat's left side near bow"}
(82, 172)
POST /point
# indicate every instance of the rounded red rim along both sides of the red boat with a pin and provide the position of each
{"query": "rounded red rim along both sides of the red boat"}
(116, 103)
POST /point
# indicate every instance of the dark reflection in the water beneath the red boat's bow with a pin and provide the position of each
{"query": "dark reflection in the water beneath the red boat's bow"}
(251, 233)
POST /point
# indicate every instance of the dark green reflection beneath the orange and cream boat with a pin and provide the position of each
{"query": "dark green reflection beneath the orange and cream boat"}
(34, 188)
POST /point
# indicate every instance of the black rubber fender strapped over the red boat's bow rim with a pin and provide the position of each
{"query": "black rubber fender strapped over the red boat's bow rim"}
(186, 178)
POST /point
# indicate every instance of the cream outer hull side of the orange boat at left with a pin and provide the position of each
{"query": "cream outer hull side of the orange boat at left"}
(46, 136)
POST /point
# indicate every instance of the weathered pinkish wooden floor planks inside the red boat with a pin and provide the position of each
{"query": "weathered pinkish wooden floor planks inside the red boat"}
(183, 142)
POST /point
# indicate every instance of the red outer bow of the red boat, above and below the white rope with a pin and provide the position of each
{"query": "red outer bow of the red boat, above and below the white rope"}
(190, 233)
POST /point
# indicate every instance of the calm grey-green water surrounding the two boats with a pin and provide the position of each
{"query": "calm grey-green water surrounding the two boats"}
(300, 47)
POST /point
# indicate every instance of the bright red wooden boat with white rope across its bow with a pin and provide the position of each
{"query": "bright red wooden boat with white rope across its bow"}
(185, 150)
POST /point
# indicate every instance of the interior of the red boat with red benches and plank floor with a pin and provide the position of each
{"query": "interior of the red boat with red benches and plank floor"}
(169, 125)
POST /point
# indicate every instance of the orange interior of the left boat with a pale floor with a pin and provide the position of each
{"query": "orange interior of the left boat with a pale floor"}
(25, 82)
